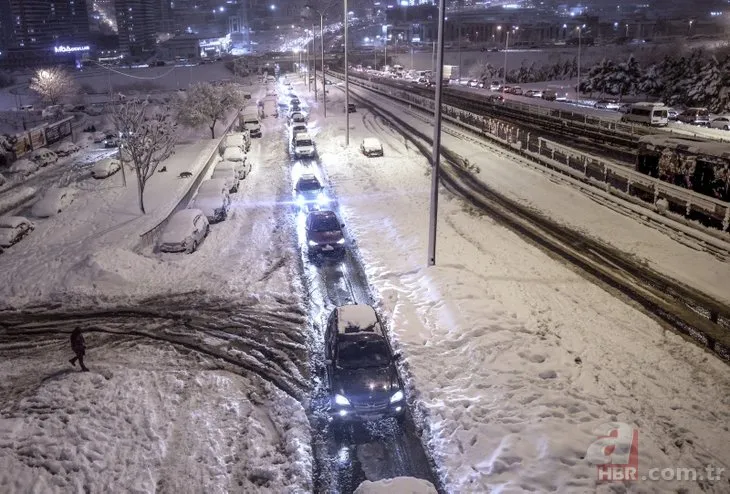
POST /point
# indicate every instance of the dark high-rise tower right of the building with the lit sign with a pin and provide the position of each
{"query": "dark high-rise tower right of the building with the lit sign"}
(138, 22)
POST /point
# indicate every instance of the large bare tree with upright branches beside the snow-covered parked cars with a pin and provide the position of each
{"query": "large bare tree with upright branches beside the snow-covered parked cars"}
(147, 137)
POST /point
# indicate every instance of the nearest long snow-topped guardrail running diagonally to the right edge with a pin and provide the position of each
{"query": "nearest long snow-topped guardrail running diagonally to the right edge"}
(610, 177)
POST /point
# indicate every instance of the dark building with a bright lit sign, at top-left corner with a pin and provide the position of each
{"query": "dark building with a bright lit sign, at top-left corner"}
(43, 31)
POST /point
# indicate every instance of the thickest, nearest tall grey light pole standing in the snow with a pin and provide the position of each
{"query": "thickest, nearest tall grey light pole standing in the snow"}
(436, 155)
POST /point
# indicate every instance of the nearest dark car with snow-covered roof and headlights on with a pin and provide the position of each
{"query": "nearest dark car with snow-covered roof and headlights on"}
(360, 367)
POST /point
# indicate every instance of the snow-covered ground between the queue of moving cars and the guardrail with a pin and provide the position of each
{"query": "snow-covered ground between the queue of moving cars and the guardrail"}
(514, 359)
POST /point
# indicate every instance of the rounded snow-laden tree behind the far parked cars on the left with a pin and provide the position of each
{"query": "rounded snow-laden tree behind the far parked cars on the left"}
(206, 104)
